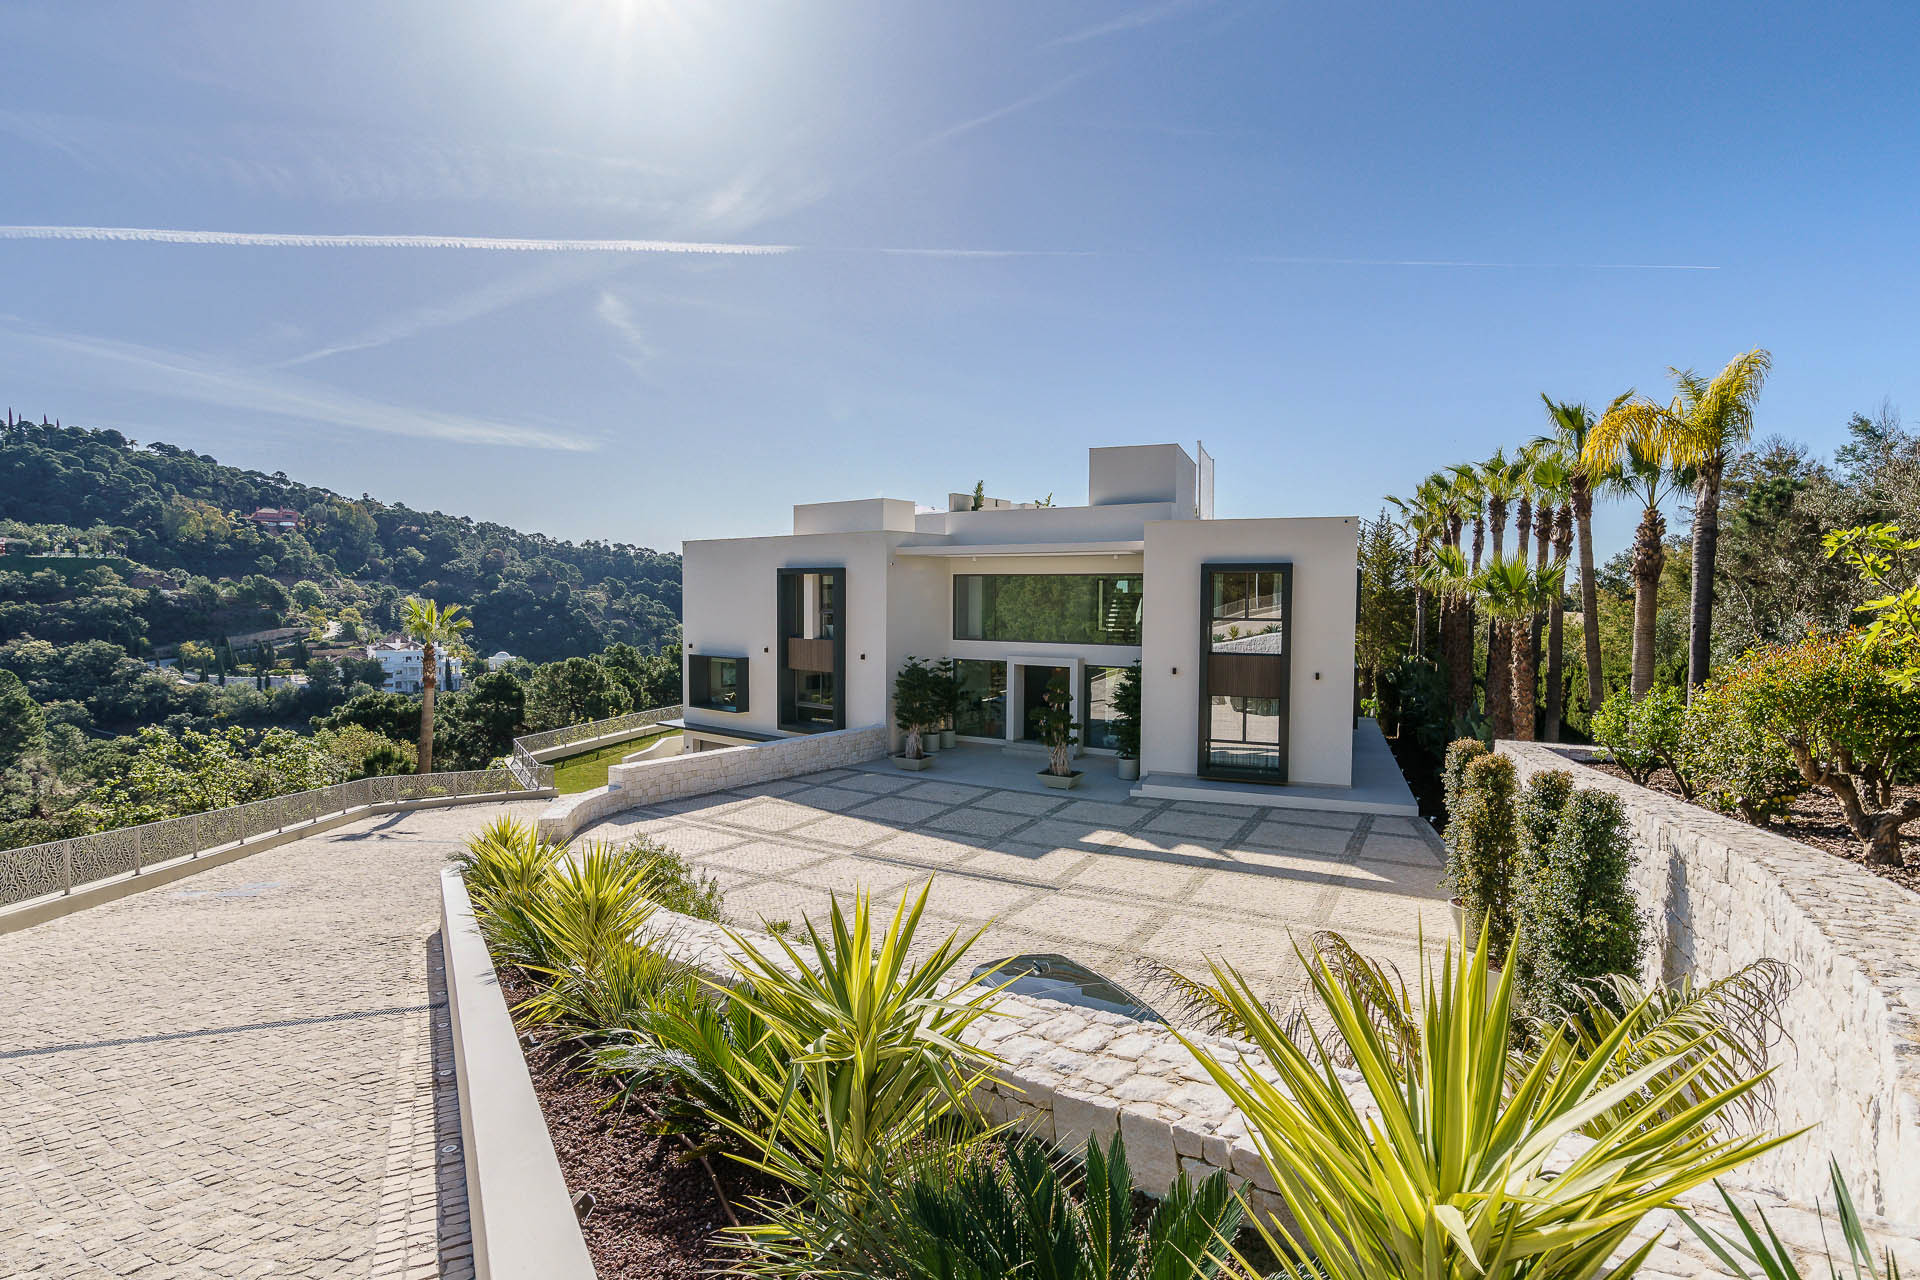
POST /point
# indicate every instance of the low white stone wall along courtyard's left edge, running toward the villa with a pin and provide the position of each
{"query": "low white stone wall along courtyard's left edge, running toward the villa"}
(692, 774)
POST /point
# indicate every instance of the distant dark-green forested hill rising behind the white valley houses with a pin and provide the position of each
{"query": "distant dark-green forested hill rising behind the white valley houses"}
(183, 515)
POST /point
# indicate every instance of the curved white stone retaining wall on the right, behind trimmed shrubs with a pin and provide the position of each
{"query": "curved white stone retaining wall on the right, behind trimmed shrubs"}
(1723, 895)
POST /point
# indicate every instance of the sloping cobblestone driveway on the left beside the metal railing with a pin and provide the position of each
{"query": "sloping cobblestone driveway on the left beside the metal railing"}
(243, 1074)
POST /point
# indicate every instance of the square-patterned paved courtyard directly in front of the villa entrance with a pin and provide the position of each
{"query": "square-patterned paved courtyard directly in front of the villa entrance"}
(1103, 882)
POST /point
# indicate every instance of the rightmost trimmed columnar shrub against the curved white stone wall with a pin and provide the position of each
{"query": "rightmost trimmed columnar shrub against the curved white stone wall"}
(1577, 913)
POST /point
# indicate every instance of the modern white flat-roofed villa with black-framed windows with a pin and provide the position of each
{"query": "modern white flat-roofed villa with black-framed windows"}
(1243, 628)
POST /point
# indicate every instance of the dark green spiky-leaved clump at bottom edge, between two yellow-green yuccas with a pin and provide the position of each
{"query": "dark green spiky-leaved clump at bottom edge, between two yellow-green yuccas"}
(1009, 1212)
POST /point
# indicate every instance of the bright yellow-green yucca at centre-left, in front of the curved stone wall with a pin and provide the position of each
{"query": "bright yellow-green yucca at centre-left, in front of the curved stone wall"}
(873, 1045)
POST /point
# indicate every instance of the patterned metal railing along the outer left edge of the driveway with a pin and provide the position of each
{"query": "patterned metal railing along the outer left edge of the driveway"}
(59, 866)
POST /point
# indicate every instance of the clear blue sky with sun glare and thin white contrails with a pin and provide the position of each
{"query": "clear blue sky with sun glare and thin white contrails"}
(1343, 245)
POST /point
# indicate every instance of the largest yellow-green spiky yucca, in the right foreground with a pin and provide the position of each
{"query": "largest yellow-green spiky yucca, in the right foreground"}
(1468, 1168)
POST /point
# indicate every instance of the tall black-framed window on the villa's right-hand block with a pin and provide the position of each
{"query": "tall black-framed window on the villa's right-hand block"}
(1247, 669)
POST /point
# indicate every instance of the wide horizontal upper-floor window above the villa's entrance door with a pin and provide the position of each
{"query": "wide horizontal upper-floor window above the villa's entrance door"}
(1049, 609)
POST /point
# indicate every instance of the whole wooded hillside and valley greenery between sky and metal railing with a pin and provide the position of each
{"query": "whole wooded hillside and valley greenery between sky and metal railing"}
(164, 652)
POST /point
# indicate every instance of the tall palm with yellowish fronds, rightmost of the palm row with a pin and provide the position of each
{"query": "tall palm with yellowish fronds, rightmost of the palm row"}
(1706, 423)
